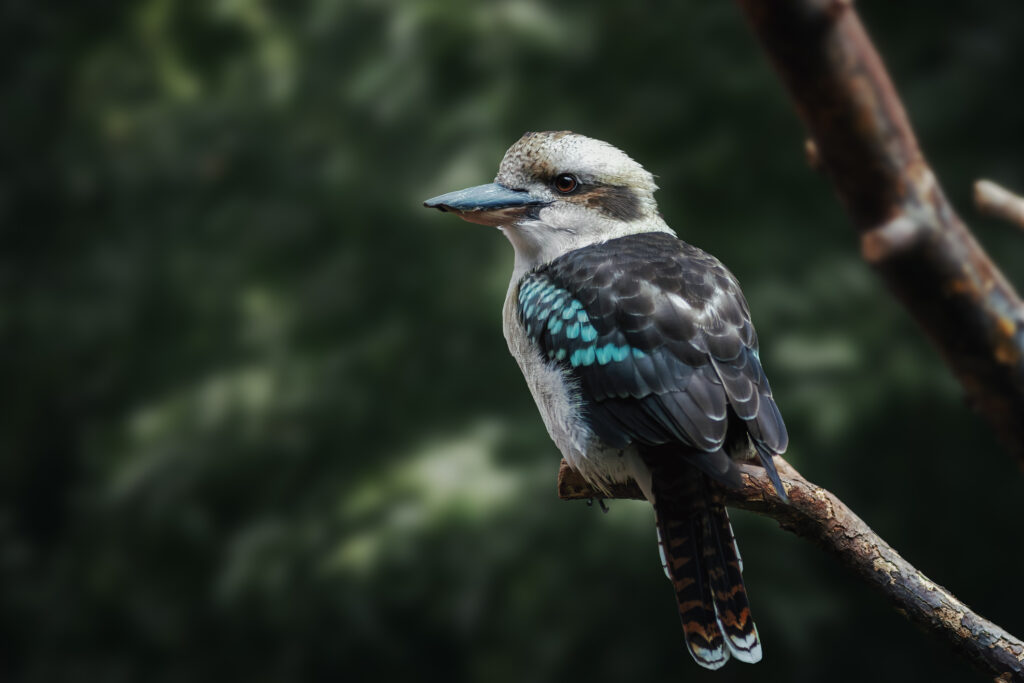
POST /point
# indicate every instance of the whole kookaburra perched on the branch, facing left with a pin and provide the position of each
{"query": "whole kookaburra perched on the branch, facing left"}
(643, 359)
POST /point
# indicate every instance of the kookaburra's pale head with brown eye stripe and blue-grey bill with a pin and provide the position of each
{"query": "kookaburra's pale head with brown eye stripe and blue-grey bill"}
(557, 192)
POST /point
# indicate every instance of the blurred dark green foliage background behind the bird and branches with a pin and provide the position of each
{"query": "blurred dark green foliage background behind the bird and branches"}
(260, 422)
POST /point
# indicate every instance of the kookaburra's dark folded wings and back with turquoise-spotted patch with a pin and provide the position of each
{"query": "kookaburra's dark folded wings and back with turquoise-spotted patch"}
(658, 336)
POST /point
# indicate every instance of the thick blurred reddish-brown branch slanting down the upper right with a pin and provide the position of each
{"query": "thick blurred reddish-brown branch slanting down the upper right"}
(909, 231)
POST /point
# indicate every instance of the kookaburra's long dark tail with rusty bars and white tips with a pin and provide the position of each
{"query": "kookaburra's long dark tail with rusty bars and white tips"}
(701, 559)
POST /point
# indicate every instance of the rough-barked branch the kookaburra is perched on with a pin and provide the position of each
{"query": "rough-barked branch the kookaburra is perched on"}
(817, 515)
